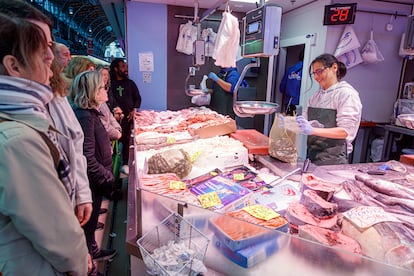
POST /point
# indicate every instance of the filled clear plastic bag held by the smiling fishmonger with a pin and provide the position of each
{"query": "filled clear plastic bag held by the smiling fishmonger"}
(282, 141)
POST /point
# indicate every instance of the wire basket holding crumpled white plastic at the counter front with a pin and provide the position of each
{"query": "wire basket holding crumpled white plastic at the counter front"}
(176, 234)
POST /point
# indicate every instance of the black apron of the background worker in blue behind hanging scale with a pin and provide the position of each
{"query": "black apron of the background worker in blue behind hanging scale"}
(222, 101)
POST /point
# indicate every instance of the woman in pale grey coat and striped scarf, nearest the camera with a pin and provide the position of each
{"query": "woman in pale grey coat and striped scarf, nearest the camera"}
(39, 233)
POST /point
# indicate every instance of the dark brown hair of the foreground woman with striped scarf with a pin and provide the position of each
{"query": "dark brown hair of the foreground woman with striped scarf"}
(21, 39)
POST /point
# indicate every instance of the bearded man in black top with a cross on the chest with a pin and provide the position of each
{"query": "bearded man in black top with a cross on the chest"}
(125, 94)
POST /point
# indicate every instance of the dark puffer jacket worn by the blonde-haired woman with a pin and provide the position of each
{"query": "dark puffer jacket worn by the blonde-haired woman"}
(97, 150)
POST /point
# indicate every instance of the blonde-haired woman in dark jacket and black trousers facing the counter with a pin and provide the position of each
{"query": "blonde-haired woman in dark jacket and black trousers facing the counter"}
(87, 94)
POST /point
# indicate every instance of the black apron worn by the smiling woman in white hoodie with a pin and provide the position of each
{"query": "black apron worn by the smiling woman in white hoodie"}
(321, 150)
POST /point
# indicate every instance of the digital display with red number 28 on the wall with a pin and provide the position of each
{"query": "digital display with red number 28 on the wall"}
(339, 14)
